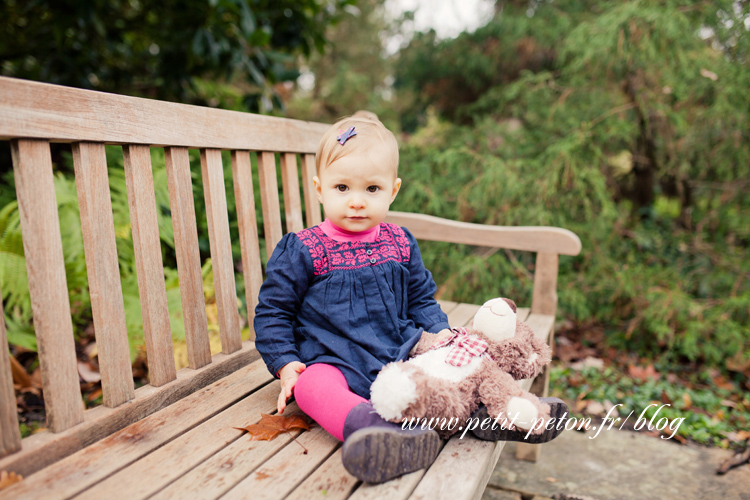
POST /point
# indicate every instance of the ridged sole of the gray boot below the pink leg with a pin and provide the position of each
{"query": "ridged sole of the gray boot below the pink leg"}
(376, 455)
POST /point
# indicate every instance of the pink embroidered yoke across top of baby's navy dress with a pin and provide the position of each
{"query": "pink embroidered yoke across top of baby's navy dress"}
(327, 254)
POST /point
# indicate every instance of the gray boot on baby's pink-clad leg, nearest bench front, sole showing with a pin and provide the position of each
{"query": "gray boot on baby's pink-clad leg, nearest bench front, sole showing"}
(376, 450)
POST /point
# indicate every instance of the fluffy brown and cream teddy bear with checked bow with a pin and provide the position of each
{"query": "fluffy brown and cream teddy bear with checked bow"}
(473, 373)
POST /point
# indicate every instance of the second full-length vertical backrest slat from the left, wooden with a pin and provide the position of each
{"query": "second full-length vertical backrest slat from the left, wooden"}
(97, 226)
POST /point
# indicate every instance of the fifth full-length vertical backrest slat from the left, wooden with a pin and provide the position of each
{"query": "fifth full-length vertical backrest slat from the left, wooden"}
(221, 250)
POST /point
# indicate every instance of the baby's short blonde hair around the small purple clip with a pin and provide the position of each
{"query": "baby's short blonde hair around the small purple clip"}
(371, 136)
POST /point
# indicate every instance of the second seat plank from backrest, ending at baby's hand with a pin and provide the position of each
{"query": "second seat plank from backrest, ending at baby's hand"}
(173, 460)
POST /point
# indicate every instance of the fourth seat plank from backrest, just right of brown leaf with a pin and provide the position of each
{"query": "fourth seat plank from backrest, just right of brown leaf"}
(288, 468)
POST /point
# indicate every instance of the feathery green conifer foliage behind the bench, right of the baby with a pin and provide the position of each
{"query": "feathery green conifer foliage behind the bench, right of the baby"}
(618, 121)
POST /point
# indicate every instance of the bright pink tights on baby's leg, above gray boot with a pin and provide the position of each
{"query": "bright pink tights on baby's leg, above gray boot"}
(322, 392)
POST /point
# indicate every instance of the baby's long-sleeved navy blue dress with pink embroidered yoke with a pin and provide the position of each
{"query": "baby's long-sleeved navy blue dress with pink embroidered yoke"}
(353, 305)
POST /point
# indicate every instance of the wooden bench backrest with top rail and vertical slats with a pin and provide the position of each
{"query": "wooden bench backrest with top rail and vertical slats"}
(34, 114)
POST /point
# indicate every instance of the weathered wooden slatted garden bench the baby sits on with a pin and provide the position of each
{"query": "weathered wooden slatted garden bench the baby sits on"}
(175, 437)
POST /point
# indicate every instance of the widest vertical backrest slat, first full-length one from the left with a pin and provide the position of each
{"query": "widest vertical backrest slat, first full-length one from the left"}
(50, 303)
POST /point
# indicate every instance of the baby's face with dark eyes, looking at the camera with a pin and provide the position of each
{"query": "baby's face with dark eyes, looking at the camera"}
(357, 190)
